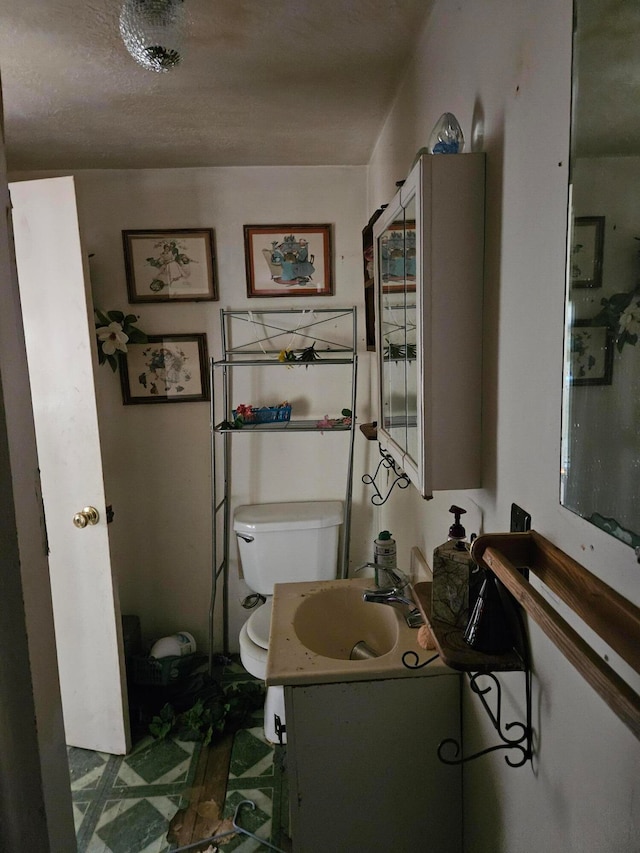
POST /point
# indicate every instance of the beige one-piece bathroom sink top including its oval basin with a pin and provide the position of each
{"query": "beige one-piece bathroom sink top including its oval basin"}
(316, 624)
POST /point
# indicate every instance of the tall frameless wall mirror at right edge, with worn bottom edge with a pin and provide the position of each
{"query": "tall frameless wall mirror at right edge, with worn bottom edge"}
(600, 466)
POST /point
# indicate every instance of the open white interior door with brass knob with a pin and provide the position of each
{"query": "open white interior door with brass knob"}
(58, 324)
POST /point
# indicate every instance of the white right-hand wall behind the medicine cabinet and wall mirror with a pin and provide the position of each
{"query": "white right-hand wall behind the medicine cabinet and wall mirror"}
(503, 68)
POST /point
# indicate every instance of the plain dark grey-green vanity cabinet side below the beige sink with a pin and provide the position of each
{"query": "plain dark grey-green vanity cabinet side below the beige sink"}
(363, 767)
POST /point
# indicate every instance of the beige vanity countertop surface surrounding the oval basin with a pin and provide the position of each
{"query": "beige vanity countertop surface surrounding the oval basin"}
(290, 662)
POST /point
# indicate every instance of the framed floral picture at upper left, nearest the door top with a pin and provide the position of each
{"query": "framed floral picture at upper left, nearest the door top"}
(170, 266)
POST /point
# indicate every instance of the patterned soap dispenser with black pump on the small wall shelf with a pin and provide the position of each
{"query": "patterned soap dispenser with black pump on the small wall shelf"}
(452, 570)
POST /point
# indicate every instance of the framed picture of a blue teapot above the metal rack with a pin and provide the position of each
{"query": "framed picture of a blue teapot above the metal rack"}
(288, 260)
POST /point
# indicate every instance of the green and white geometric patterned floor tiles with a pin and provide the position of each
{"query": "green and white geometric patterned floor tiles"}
(125, 804)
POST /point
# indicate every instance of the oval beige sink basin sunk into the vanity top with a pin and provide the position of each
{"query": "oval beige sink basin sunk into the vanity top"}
(332, 621)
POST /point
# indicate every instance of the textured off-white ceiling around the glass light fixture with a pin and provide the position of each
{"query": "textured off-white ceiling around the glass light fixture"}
(262, 82)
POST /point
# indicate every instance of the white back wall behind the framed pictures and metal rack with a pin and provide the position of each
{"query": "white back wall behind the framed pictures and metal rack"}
(156, 457)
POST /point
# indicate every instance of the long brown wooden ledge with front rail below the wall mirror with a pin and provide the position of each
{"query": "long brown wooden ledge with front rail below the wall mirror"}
(615, 619)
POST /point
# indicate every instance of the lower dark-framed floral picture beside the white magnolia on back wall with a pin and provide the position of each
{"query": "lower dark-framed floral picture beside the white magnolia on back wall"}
(166, 369)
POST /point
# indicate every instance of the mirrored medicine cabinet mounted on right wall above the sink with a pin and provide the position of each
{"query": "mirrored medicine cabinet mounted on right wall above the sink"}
(428, 266)
